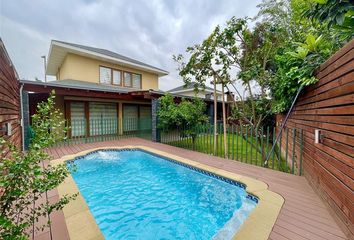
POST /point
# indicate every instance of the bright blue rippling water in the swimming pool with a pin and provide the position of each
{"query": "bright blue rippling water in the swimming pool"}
(137, 195)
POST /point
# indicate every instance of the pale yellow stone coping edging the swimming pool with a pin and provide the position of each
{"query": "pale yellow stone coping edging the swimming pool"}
(81, 223)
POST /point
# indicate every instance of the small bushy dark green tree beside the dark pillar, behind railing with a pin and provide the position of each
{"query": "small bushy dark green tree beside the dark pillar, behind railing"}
(188, 115)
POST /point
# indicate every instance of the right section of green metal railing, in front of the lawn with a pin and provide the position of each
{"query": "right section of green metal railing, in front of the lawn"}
(243, 143)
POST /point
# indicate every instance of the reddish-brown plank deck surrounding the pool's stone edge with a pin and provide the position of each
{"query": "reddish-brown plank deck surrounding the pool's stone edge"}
(303, 216)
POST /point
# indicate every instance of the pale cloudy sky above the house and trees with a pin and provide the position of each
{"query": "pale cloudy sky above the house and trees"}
(151, 31)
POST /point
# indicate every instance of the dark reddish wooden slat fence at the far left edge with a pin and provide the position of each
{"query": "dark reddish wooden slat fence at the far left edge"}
(9, 100)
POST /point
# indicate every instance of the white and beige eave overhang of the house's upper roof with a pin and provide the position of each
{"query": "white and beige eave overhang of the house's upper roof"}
(59, 50)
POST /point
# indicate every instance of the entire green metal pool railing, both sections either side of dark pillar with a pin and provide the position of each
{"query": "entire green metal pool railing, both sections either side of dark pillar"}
(243, 143)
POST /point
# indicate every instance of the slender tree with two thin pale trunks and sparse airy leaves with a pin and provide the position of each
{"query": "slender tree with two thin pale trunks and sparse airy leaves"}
(214, 59)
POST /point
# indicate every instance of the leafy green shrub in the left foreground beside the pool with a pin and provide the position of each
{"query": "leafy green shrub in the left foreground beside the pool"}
(25, 178)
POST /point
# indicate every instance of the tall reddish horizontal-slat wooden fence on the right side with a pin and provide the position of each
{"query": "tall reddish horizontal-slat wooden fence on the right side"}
(329, 107)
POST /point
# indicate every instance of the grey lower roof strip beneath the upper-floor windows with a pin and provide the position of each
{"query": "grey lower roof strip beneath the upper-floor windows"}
(75, 84)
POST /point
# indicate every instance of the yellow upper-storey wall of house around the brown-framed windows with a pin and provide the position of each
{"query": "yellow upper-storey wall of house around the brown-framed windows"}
(77, 67)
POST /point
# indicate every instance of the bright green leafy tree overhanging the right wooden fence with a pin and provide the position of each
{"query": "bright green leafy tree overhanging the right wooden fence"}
(303, 47)
